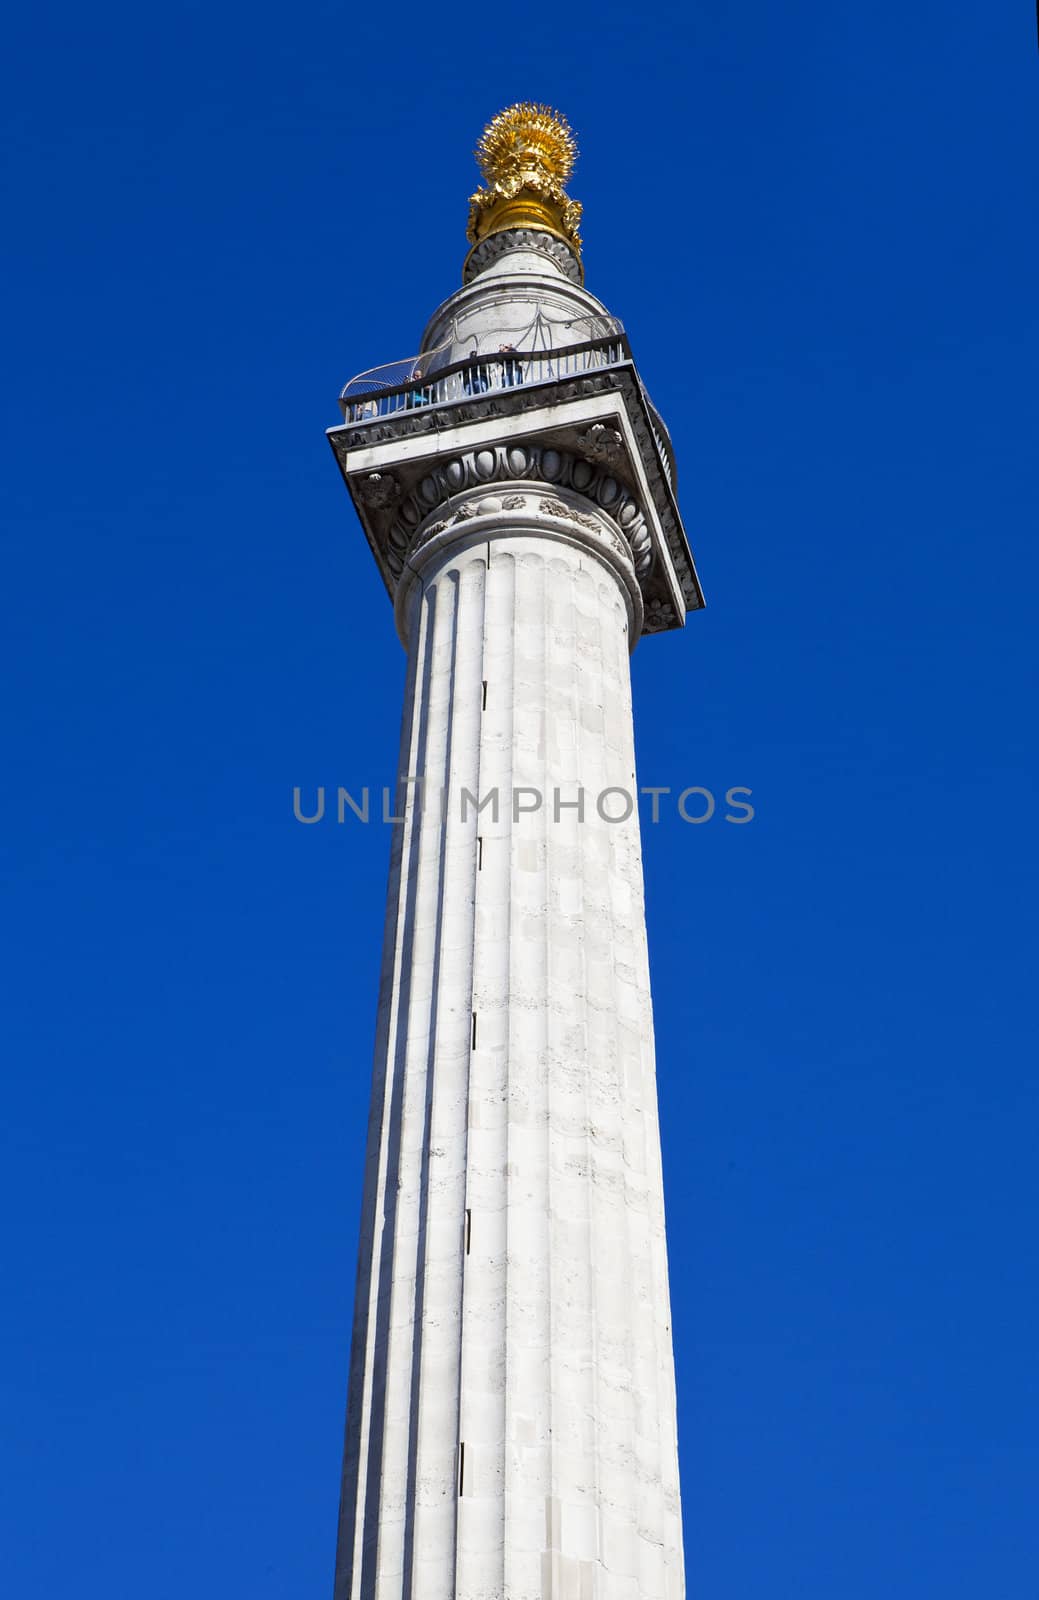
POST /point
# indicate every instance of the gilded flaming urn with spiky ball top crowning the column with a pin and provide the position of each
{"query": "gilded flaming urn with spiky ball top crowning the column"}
(526, 154)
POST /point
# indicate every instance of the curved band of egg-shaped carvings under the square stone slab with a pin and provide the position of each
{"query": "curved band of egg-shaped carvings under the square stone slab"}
(515, 463)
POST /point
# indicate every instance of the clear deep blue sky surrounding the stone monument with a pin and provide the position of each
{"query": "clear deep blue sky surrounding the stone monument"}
(819, 225)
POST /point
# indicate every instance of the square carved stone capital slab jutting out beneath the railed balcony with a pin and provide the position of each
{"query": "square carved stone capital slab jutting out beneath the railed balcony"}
(524, 422)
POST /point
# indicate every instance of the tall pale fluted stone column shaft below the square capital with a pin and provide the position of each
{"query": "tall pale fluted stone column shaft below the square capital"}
(511, 1430)
